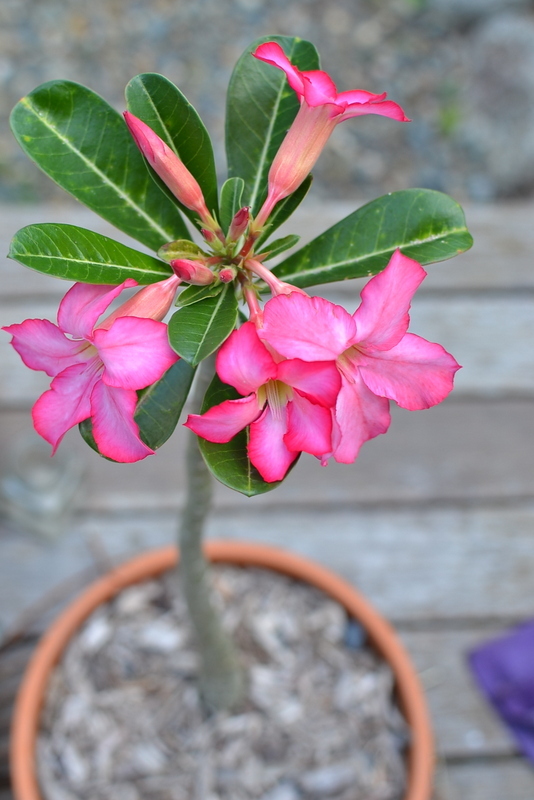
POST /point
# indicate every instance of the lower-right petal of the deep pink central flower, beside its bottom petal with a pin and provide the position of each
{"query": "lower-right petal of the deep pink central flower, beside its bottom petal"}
(309, 427)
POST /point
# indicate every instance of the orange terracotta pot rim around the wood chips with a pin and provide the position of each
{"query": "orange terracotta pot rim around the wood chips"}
(48, 653)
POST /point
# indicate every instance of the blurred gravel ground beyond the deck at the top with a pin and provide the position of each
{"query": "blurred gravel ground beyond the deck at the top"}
(463, 70)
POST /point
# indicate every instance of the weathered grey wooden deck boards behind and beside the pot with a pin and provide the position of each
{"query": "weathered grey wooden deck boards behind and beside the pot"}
(434, 522)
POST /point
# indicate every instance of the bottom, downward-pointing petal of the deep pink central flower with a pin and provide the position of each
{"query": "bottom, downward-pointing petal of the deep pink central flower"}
(266, 448)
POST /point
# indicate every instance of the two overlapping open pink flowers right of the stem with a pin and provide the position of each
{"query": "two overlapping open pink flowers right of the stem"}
(319, 380)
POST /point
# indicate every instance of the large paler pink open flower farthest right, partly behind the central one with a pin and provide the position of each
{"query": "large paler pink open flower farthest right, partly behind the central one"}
(377, 359)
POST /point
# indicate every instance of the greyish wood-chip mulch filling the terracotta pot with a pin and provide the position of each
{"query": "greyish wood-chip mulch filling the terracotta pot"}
(123, 719)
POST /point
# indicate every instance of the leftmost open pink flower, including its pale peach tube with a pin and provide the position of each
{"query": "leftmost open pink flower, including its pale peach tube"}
(96, 369)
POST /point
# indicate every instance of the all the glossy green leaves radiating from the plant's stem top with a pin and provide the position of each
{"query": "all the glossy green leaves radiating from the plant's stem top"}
(82, 143)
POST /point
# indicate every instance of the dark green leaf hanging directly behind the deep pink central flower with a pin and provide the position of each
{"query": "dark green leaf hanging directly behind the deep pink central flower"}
(229, 462)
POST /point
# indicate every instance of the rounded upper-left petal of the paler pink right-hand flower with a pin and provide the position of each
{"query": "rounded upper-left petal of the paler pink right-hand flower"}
(309, 328)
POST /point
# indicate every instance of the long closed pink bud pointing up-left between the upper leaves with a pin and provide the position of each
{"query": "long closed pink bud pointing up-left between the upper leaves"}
(170, 168)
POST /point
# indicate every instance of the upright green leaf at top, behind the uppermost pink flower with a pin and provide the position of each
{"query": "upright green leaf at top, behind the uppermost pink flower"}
(260, 108)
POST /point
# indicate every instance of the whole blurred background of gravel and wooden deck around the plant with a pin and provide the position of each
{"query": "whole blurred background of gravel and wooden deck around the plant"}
(435, 521)
